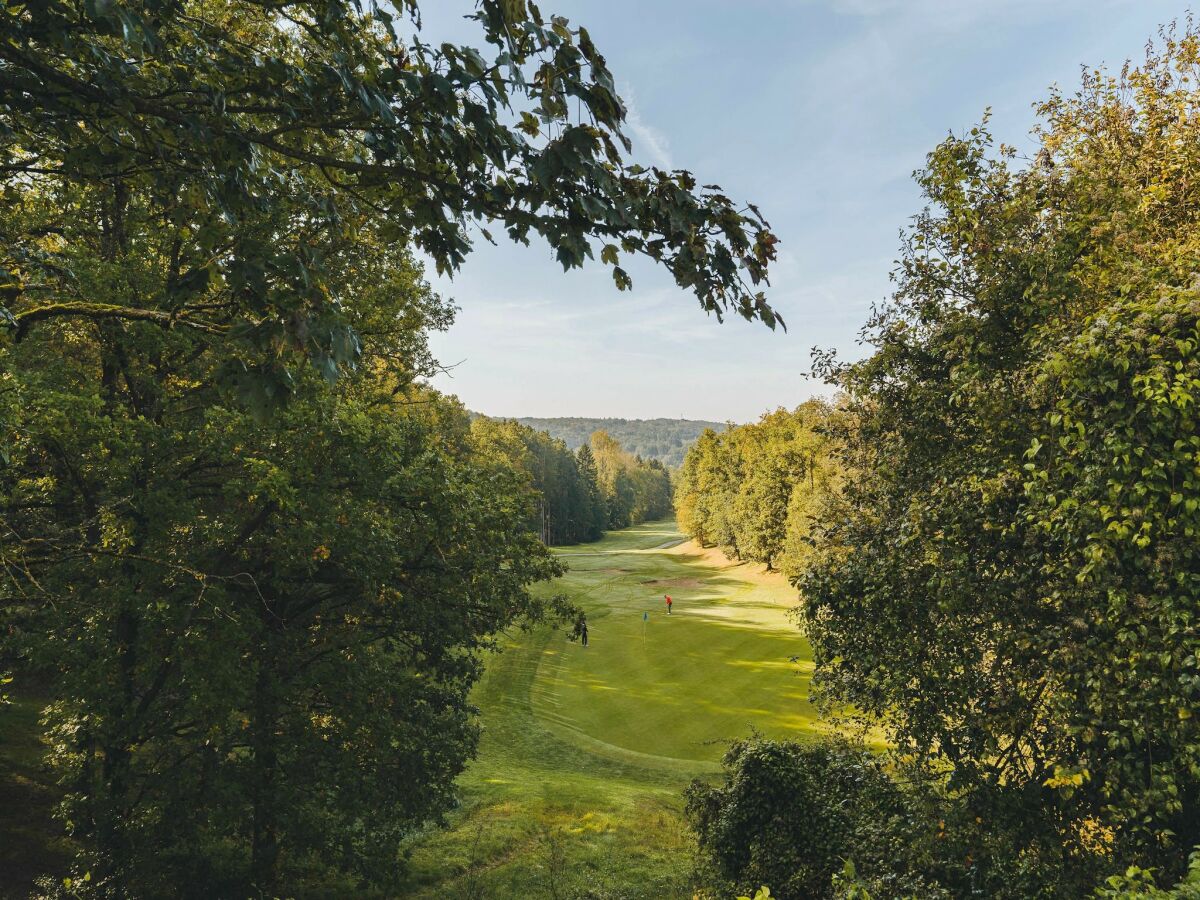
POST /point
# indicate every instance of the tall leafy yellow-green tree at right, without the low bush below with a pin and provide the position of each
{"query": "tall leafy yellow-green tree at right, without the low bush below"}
(1009, 581)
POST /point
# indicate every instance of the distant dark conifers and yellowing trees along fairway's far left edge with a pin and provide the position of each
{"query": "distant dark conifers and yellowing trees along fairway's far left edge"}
(577, 496)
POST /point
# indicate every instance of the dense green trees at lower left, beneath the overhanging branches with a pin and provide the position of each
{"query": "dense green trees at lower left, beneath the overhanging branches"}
(261, 633)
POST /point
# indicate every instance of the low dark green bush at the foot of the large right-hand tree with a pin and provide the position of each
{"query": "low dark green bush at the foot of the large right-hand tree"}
(830, 820)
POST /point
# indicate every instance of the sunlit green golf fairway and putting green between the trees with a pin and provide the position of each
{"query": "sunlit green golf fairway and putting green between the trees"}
(578, 790)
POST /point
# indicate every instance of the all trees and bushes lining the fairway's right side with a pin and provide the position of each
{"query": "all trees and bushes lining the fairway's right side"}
(1006, 581)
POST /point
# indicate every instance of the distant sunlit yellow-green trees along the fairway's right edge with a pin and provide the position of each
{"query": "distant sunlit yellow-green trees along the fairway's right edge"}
(757, 490)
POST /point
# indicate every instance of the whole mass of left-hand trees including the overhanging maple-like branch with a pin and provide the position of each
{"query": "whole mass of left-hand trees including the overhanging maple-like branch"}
(253, 563)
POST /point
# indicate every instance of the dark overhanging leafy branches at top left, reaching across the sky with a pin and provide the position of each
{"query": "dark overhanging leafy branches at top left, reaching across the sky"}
(223, 111)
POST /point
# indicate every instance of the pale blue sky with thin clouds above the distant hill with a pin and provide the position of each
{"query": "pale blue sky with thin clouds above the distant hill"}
(819, 112)
